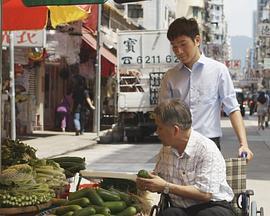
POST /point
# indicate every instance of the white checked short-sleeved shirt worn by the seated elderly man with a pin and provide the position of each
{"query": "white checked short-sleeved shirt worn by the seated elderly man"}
(201, 165)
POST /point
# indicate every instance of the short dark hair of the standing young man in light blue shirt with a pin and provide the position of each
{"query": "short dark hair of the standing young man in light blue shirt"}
(182, 26)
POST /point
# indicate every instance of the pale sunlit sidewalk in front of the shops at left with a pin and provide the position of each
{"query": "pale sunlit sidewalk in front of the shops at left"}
(51, 143)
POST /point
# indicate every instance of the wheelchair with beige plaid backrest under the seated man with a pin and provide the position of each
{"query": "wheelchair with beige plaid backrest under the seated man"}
(236, 178)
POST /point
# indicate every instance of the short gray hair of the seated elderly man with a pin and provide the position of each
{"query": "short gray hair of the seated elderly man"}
(174, 112)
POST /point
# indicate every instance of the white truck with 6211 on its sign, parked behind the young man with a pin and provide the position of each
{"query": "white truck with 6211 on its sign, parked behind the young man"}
(143, 57)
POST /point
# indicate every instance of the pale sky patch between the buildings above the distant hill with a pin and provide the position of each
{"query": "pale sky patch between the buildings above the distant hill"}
(238, 14)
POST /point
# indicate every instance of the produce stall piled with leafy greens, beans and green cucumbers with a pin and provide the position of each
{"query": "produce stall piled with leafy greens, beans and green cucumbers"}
(33, 186)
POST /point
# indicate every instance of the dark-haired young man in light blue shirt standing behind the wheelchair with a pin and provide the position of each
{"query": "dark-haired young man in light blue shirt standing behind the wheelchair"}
(203, 84)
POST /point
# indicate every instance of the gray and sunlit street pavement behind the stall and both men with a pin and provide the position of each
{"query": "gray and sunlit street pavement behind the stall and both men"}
(129, 157)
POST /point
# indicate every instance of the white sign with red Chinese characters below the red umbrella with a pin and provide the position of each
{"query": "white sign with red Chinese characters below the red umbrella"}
(25, 38)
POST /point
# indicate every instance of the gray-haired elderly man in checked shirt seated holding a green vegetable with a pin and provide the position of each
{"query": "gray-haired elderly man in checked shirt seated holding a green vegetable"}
(190, 172)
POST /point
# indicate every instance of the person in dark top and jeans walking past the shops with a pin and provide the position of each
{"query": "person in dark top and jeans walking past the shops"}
(81, 103)
